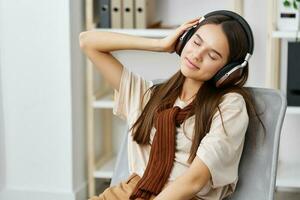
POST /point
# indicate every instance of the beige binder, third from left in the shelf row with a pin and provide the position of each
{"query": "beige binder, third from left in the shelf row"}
(128, 13)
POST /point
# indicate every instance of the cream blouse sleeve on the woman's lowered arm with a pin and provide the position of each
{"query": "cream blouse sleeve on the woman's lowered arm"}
(220, 150)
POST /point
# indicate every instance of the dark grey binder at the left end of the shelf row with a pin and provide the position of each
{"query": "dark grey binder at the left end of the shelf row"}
(103, 13)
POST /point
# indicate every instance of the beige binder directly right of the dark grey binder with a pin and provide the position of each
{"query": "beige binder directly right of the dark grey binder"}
(116, 13)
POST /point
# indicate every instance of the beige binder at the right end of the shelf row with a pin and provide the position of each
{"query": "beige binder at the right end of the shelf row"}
(145, 13)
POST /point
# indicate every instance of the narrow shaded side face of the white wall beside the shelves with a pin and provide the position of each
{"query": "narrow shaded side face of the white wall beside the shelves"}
(78, 87)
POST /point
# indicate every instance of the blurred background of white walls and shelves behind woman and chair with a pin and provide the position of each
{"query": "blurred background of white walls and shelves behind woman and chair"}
(58, 137)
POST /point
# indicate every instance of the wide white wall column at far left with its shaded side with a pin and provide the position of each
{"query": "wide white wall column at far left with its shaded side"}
(43, 100)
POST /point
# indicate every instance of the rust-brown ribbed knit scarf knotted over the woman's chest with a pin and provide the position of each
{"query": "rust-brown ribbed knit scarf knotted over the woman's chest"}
(162, 152)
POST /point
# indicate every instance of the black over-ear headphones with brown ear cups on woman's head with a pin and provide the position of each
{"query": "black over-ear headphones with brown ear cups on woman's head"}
(233, 69)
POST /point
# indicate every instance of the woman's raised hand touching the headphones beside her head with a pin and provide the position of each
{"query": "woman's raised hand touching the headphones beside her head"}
(168, 43)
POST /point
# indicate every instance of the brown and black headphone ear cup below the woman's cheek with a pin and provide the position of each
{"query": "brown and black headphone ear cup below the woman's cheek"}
(222, 77)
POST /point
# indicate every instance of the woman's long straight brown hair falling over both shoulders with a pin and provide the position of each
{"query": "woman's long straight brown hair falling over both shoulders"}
(207, 100)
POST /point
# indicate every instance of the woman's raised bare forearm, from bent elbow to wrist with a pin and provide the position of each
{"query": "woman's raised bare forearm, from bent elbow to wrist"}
(112, 41)
